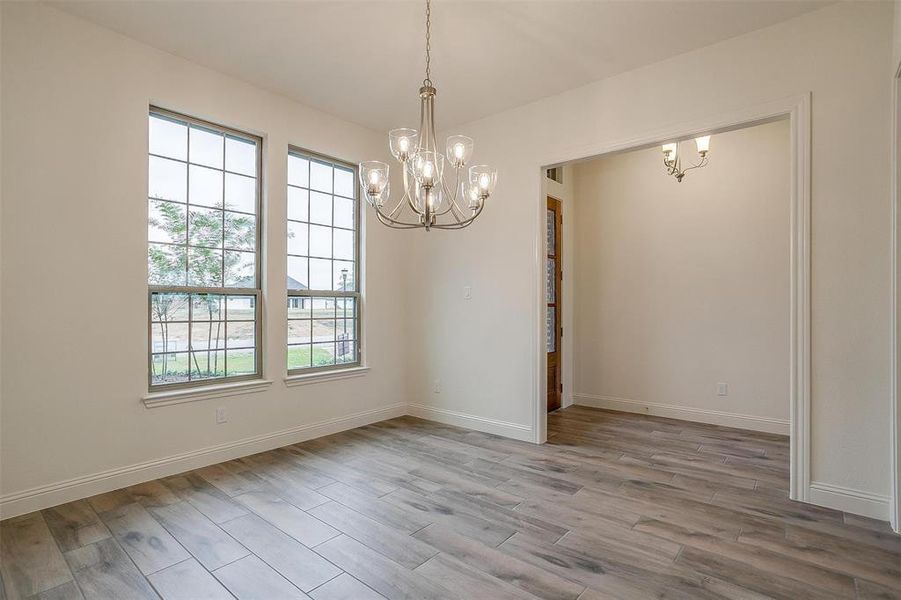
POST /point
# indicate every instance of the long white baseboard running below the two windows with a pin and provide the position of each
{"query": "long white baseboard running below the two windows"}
(46, 496)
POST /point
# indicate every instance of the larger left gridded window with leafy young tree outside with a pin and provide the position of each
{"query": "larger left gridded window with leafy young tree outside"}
(203, 252)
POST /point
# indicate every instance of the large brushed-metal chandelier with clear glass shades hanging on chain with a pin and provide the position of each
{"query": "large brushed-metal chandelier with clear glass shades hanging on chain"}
(439, 192)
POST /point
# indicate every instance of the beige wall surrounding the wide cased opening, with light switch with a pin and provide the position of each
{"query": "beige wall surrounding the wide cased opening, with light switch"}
(840, 54)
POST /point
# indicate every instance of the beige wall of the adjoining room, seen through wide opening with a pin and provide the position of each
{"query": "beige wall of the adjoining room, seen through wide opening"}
(680, 286)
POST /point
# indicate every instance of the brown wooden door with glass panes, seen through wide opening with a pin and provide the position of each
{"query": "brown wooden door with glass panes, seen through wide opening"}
(554, 328)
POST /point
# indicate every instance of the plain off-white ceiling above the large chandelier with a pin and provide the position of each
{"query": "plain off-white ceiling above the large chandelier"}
(363, 61)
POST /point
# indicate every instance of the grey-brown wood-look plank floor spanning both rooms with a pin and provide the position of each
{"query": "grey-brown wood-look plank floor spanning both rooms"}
(614, 506)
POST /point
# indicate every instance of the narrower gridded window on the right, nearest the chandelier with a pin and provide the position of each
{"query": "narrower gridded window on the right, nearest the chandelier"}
(323, 264)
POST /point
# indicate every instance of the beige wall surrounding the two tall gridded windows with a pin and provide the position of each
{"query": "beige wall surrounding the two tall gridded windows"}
(74, 184)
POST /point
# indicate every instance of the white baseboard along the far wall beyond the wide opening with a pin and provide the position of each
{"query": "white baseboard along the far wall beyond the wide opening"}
(685, 413)
